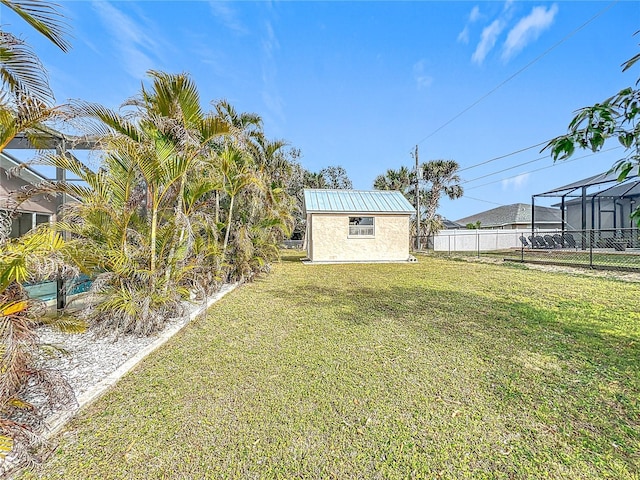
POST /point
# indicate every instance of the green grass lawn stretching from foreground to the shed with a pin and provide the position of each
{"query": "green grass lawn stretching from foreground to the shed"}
(440, 369)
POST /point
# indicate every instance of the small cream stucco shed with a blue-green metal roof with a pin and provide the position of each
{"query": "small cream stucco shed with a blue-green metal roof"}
(357, 226)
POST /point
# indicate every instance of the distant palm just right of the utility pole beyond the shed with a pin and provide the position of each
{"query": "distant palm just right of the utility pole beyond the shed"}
(442, 177)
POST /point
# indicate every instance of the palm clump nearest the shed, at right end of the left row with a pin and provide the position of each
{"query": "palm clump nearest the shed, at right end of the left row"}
(254, 171)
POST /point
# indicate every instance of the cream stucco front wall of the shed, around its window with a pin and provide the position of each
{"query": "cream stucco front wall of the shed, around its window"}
(329, 239)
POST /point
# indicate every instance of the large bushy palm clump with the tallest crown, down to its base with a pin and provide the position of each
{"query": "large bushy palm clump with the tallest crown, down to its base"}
(134, 215)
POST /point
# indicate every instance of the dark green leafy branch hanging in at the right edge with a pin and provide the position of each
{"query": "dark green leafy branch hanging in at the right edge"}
(615, 117)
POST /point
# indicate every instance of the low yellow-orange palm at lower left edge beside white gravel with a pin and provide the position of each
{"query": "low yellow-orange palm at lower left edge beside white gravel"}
(27, 258)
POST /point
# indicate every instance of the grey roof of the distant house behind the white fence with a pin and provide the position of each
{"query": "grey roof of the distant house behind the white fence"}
(515, 214)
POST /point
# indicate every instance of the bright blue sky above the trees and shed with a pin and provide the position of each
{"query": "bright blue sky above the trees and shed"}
(359, 84)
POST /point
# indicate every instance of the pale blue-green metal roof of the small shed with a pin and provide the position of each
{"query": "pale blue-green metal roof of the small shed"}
(356, 201)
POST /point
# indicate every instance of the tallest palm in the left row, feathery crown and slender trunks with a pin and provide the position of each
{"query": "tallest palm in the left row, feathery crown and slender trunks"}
(173, 134)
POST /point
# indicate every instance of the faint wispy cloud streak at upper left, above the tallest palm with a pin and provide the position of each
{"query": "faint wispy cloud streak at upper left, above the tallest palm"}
(130, 39)
